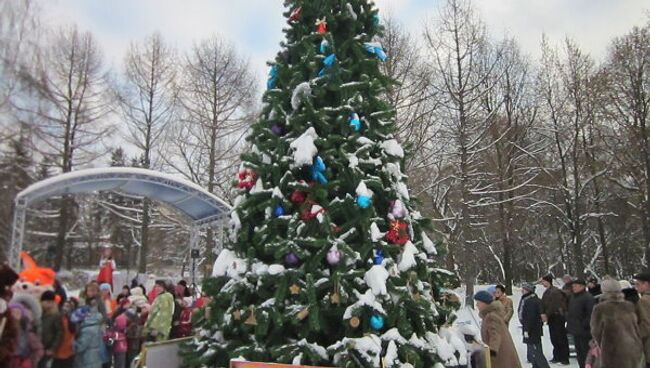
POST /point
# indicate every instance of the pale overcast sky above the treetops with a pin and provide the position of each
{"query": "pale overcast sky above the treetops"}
(255, 26)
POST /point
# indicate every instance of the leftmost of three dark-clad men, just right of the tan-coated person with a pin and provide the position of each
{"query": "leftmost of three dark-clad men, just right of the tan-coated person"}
(530, 316)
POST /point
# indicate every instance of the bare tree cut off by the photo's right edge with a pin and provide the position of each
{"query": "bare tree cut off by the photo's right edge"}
(628, 89)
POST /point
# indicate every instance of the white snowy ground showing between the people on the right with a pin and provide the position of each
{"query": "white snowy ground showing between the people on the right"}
(467, 315)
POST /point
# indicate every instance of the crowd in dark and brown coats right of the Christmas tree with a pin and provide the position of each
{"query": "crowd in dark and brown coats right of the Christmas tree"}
(608, 323)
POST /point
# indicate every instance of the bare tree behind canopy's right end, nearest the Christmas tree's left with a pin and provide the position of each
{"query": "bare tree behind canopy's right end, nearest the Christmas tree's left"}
(217, 93)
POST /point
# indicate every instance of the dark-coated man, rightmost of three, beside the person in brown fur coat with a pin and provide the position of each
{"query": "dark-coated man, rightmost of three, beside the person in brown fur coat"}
(579, 317)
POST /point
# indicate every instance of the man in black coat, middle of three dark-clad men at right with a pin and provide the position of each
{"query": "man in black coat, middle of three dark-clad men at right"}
(554, 308)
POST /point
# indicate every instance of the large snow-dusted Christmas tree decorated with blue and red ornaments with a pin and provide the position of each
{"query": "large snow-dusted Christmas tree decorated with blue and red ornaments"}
(328, 262)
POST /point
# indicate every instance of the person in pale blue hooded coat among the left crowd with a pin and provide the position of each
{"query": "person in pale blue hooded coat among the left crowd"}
(87, 347)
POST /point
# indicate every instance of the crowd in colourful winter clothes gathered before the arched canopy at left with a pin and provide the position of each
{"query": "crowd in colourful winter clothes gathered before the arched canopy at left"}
(98, 329)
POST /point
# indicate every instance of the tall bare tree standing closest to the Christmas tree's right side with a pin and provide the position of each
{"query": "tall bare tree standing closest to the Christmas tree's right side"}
(510, 154)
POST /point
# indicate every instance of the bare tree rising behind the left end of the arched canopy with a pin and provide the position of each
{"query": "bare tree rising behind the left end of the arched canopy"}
(68, 108)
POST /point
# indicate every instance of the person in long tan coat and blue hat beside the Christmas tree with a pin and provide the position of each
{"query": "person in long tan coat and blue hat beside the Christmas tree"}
(494, 332)
